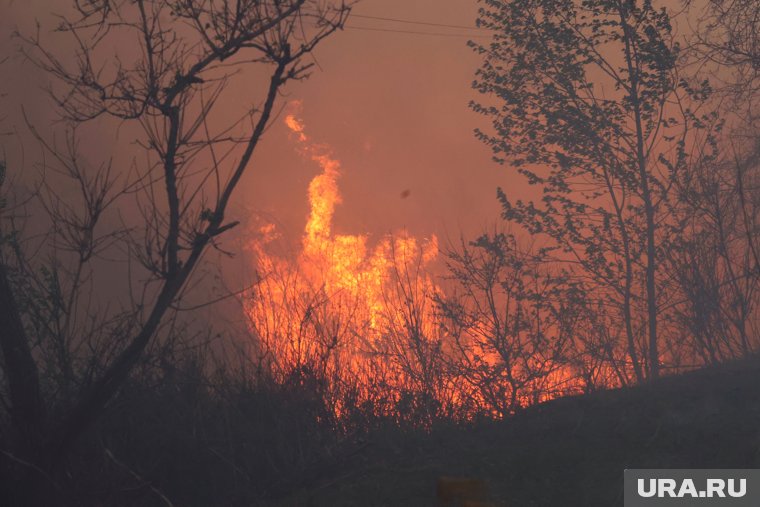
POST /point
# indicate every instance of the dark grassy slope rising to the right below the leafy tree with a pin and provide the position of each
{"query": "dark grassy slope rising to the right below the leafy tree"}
(568, 452)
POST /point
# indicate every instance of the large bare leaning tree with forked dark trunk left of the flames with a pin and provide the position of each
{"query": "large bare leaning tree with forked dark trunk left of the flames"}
(173, 65)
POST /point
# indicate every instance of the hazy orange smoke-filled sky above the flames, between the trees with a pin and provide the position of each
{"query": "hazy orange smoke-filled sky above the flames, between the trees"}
(393, 106)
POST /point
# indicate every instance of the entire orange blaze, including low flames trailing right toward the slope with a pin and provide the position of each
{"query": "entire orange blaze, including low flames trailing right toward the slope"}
(359, 318)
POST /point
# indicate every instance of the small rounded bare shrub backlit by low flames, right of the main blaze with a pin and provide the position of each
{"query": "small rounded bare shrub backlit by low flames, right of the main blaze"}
(509, 324)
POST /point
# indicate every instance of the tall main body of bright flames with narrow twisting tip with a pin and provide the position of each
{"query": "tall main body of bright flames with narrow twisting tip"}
(333, 307)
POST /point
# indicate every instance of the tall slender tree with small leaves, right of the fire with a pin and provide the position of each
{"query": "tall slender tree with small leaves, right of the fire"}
(586, 101)
